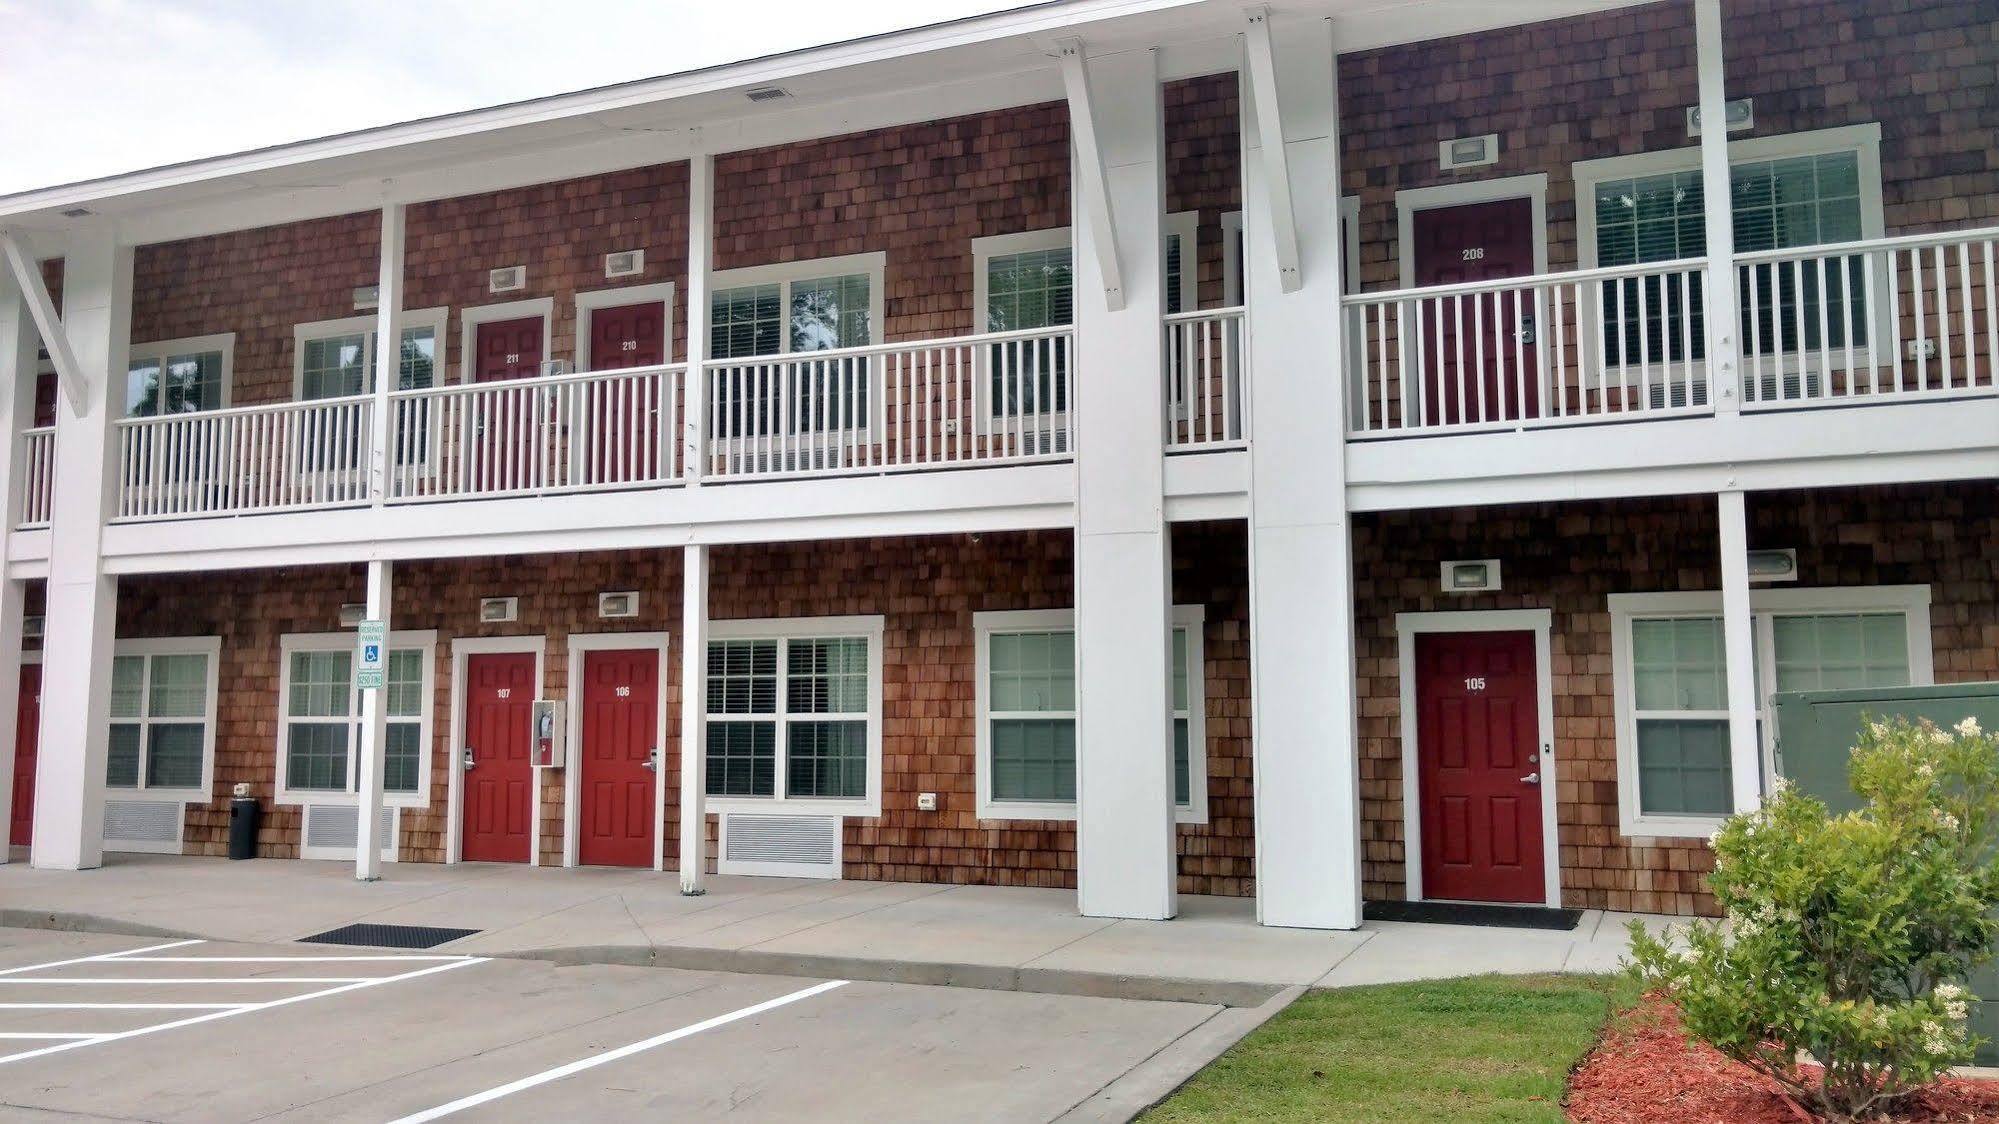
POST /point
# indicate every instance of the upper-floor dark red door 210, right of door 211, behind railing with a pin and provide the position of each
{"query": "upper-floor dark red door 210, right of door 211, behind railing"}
(625, 421)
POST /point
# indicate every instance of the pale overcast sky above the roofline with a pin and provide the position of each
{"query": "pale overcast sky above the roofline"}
(99, 87)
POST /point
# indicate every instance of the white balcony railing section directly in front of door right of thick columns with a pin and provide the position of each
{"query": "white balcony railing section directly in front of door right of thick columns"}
(1538, 351)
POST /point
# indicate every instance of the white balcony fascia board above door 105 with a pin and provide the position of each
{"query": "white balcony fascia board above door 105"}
(1798, 449)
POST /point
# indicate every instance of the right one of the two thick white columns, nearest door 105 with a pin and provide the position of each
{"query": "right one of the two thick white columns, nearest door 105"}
(1300, 543)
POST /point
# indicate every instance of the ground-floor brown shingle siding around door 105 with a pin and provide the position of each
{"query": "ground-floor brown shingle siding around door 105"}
(1570, 559)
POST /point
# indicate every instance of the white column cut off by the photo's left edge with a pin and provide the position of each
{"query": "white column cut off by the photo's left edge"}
(17, 409)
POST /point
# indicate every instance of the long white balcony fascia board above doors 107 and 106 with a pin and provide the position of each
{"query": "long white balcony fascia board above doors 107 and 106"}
(1032, 497)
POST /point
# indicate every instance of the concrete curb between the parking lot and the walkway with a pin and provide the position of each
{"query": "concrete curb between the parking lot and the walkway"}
(753, 963)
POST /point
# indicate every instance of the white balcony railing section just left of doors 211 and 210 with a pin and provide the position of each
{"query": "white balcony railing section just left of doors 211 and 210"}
(251, 459)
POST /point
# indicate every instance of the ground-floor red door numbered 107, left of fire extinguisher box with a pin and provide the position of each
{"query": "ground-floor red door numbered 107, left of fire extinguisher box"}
(497, 767)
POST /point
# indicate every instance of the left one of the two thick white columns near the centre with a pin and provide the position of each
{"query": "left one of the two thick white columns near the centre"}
(1124, 739)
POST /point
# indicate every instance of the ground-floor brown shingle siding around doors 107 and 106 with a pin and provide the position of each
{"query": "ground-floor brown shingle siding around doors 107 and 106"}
(927, 589)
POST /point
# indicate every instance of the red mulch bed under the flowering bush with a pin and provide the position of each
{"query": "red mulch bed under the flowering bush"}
(1648, 1073)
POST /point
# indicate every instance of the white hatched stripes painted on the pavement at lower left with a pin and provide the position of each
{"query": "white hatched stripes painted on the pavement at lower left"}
(213, 1011)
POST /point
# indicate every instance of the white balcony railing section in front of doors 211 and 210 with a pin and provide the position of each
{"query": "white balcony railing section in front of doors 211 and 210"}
(575, 433)
